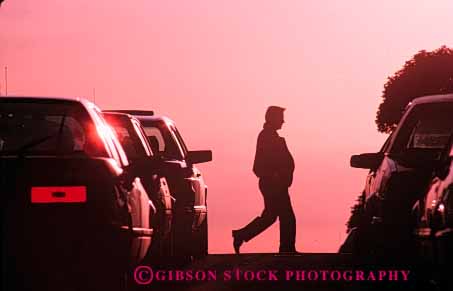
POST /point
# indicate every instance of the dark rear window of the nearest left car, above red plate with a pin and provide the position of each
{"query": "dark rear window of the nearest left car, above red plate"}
(46, 128)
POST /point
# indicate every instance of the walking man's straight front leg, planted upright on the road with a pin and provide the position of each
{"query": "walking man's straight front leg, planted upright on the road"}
(287, 223)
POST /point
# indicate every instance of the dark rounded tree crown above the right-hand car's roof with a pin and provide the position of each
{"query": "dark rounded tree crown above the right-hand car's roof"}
(427, 73)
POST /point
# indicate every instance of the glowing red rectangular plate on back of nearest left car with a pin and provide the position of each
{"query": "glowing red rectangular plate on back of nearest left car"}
(59, 194)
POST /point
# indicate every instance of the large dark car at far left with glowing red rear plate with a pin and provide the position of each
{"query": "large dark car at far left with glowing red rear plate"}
(72, 214)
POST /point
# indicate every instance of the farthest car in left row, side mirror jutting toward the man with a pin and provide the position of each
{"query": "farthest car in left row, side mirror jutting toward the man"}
(190, 221)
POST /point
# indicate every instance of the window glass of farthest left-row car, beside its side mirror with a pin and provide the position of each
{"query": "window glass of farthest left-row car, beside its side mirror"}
(163, 140)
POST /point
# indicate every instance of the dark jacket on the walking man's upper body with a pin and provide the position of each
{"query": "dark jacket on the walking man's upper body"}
(273, 161)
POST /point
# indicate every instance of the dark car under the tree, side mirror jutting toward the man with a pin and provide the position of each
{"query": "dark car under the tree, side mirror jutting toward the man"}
(399, 175)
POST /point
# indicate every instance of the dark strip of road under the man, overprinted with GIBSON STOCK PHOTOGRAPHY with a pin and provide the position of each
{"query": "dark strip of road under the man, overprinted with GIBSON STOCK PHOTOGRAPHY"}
(251, 272)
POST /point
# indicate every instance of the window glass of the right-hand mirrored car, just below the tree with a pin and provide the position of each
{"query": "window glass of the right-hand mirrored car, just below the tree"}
(427, 127)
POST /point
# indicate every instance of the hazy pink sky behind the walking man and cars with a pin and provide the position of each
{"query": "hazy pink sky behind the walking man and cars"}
(214, 67)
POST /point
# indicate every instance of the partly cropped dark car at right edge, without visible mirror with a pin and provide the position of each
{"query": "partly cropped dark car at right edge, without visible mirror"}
(433, 214)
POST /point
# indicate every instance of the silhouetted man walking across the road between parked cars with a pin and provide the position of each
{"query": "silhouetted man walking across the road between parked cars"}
(274, 166)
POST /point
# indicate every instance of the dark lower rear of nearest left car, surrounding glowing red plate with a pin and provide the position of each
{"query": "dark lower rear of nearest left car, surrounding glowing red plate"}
(61, 218)
